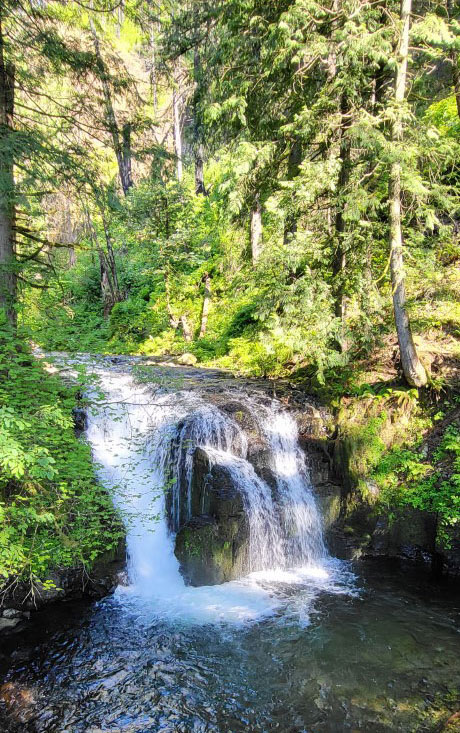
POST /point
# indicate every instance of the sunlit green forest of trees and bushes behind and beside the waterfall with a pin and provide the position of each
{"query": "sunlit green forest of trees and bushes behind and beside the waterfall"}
(265, 186)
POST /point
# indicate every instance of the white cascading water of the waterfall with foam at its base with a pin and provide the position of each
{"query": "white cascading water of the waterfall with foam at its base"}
(144, 442)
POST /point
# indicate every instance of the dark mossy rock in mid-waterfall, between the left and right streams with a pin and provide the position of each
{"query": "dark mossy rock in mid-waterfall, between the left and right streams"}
(212, 547)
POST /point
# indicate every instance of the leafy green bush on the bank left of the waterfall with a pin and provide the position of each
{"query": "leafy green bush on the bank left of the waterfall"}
(53, 511)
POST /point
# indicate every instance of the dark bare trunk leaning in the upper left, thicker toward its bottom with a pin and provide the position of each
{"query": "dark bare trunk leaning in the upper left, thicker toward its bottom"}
(121, 142)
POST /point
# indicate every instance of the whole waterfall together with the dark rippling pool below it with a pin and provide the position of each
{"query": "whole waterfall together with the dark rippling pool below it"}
(300, 643)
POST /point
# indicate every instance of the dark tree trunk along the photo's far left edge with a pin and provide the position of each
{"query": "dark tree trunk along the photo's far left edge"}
(8, 284)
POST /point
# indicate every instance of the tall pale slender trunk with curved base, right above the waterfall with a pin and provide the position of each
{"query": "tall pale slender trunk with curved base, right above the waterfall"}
(413, 369)
